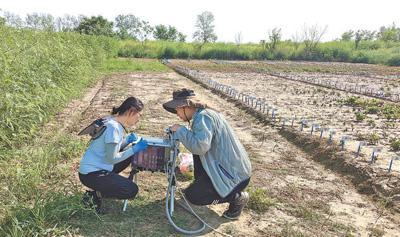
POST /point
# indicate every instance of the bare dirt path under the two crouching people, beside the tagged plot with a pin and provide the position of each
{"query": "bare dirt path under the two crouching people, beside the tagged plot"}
(309, 200)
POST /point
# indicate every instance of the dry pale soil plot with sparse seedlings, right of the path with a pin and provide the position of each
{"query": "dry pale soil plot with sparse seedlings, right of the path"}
(319, 105)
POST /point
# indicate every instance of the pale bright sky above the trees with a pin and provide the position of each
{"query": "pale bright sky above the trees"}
(253, 18)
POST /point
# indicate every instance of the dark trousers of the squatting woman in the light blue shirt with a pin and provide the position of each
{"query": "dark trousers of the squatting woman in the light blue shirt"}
(111, 184)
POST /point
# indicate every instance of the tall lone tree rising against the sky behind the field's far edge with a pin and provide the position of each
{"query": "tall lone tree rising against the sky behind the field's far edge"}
(205, 28)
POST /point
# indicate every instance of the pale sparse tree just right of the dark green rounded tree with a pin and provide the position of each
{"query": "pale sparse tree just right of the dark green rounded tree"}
(128, 26)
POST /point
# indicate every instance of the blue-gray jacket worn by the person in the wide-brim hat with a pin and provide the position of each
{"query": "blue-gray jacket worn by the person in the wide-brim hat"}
(222, 155)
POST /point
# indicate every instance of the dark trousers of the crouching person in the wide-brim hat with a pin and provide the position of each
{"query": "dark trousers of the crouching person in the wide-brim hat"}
(202, 192)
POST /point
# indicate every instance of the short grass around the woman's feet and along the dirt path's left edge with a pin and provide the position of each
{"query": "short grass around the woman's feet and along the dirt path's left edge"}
(40, 195)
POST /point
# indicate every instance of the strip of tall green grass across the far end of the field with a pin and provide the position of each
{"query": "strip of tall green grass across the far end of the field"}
(374, 52)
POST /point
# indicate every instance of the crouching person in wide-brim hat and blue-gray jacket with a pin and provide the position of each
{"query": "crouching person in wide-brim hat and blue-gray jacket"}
(222, 168)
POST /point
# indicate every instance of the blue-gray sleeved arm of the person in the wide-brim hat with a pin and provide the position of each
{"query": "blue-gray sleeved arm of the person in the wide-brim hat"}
(197, 141)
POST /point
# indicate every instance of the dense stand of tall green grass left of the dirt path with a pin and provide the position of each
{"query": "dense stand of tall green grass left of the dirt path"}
(40, 72)
